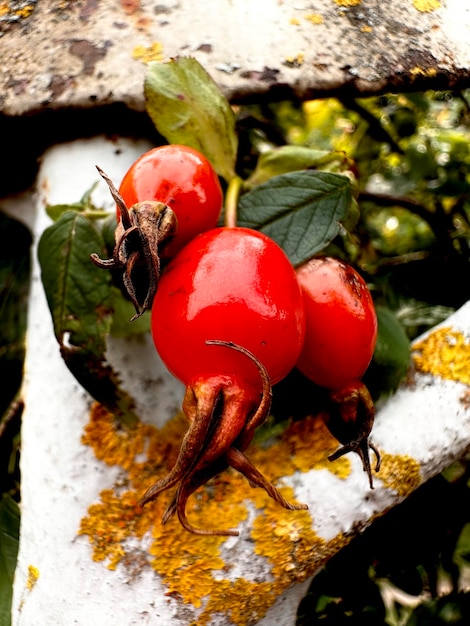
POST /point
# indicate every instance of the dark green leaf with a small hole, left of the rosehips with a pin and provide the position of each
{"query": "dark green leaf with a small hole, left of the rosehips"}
(79, 297)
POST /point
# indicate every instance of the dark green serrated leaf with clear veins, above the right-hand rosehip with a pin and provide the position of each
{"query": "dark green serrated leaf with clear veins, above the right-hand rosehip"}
(302, 211)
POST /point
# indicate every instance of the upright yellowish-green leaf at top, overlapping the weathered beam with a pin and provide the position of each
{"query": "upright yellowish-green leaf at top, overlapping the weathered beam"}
(187, 107)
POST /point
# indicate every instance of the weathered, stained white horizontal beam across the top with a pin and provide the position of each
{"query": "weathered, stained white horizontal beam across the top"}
(94, 52)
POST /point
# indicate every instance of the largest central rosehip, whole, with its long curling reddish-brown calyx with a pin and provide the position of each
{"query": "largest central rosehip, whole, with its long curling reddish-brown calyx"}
(228, 321)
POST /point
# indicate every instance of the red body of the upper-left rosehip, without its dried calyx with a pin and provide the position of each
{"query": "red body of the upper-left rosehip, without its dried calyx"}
(185, 181)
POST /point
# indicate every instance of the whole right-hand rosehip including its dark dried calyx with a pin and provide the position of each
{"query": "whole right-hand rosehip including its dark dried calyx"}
(341, 331)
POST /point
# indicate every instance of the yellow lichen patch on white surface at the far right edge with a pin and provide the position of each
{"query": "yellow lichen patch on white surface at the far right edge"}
(445, 353)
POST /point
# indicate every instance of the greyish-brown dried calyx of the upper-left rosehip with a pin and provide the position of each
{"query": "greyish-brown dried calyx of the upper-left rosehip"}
(141, 233)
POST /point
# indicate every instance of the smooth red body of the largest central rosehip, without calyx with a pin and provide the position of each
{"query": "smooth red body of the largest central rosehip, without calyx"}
(231, 284)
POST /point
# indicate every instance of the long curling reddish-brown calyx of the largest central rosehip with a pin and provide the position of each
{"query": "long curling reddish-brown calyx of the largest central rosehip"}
(223, 418)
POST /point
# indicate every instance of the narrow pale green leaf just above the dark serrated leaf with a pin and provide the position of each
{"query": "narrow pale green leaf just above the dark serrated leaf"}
(290, 158)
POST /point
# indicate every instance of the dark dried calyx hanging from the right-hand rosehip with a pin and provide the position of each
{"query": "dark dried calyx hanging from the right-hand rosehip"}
(350, 419)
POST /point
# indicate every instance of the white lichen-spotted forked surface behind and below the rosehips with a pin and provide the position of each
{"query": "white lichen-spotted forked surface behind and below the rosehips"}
(168, 576)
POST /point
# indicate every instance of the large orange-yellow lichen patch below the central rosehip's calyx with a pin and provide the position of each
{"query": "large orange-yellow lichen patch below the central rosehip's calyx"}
(192, 566)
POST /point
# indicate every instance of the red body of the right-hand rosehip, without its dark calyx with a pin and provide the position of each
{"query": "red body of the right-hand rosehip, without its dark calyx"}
(341, 323)
